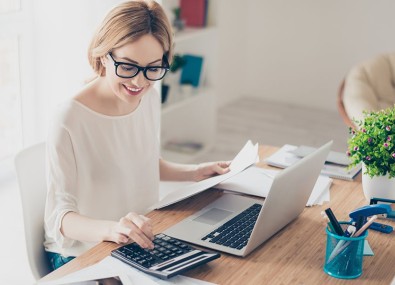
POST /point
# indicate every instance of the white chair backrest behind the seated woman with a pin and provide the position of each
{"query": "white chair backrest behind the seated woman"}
(30, 170)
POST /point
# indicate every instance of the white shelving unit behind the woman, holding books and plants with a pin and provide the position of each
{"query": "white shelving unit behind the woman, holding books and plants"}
(190, 114)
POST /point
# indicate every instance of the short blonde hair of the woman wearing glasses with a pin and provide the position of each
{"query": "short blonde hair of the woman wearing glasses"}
(126, 23)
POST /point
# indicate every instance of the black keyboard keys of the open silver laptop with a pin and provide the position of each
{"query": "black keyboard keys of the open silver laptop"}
(236, 232)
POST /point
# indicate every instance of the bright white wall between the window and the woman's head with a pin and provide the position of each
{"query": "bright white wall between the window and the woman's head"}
(62, 31)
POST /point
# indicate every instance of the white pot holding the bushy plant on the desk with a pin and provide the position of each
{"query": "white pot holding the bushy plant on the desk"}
(377, 186)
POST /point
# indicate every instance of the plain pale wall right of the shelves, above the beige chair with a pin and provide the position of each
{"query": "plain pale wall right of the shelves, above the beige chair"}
(298, 51)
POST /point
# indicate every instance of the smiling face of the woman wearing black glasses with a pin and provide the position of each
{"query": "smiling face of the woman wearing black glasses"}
(146, 51)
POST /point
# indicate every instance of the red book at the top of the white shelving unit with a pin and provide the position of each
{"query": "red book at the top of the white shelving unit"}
(194, 12)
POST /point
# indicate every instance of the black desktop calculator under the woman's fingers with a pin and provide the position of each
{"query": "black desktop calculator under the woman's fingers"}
(170, 256)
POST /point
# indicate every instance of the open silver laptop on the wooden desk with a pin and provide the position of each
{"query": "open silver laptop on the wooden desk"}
(237, 224)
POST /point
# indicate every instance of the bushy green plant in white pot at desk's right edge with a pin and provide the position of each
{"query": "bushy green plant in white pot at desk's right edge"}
(373, 145)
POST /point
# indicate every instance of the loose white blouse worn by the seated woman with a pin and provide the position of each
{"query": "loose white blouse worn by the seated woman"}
(100, 166)
